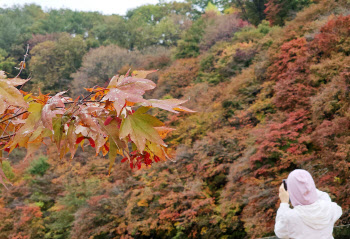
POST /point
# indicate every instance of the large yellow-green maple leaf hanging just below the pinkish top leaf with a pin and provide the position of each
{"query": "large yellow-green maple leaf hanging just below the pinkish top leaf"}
(140, 127)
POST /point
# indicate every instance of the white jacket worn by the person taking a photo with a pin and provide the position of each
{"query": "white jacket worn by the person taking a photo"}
(314, 221)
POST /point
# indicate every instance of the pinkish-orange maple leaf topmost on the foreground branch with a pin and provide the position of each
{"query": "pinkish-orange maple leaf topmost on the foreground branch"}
(123, 89)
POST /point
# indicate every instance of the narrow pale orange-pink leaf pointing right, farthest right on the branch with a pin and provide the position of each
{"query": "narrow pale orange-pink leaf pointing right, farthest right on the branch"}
(172, 105)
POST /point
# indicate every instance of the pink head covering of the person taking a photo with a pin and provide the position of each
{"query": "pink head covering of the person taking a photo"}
(301, 188)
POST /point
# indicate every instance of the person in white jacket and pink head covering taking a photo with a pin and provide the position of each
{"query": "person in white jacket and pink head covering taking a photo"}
(313, 214)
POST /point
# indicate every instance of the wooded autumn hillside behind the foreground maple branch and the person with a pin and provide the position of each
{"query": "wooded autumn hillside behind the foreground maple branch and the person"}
(269, 80)
